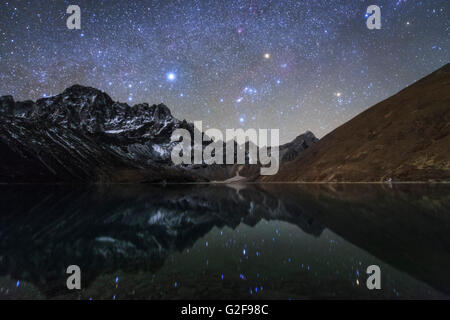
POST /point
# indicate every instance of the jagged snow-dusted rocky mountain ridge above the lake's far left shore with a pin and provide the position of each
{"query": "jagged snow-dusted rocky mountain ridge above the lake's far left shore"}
(83, 135)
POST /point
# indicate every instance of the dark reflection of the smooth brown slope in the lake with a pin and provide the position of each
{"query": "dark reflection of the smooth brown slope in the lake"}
(407, 226)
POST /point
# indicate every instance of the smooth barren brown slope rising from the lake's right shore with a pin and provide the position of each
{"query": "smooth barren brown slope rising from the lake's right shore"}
(404, 138)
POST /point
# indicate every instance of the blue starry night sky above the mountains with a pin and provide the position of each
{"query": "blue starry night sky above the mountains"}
(292, 65)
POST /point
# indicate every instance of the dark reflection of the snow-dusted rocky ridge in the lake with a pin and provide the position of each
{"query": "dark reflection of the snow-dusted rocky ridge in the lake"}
(45, 229)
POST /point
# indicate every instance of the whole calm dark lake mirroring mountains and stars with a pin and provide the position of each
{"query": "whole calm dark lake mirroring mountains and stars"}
(225, 242)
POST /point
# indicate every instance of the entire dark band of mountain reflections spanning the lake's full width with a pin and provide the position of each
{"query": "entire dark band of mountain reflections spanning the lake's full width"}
(134, 228)
